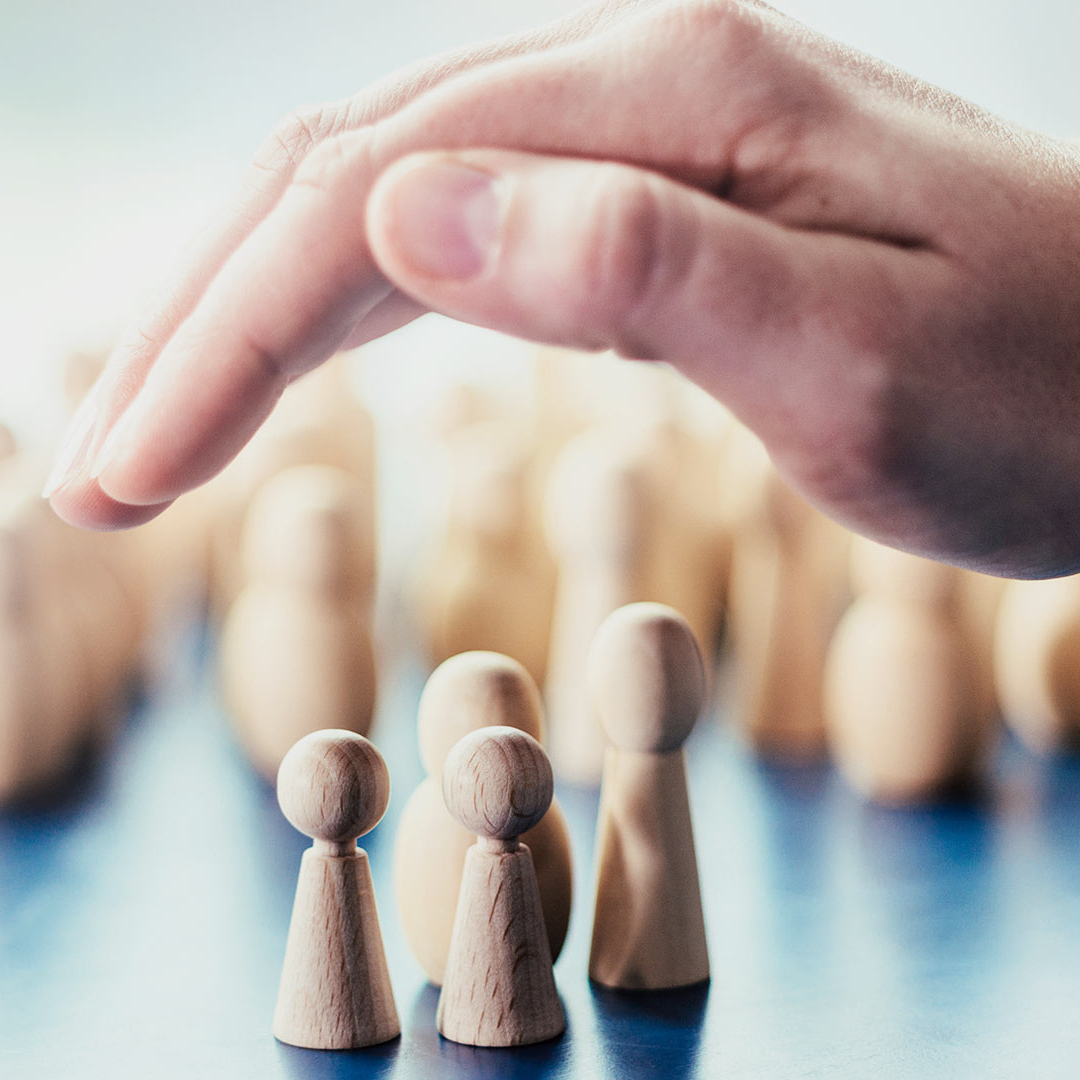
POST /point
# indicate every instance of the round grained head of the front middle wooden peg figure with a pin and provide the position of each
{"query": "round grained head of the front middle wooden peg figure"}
(498, 782)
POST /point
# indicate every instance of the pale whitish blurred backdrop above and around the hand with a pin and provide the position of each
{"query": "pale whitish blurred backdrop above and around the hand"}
(124, 125)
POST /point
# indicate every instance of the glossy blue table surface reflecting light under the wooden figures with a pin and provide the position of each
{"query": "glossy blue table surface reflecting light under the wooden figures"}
(143, 923)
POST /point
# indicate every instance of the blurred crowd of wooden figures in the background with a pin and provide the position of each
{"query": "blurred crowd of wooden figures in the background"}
(613, 483)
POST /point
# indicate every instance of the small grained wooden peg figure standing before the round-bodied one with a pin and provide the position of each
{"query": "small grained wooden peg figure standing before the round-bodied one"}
(499, 989)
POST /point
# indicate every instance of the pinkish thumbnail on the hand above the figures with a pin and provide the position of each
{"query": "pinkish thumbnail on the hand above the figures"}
(447, 218)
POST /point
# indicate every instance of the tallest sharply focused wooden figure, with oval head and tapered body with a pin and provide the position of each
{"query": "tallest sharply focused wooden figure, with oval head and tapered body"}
(647, 683)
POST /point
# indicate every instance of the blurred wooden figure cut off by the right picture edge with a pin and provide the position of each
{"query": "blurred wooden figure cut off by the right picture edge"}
(1037, 663)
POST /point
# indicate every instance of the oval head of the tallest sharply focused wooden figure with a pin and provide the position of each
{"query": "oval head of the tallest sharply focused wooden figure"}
(646, 678)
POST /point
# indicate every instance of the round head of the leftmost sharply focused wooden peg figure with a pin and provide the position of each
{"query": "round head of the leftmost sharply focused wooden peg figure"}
(334, 786)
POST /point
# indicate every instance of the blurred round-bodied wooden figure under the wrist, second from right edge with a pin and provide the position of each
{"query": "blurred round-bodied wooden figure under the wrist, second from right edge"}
(906, 717)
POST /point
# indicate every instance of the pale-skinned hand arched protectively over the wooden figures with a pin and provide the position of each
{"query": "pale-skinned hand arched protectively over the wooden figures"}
(880, 279)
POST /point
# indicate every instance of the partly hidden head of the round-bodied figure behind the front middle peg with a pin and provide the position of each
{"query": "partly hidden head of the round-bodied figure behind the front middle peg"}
(475, 691)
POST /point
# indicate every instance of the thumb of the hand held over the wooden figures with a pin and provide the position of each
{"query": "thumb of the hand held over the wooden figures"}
(593, 255)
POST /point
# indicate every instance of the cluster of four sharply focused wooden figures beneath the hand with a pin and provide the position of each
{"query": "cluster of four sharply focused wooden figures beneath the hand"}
(483, 871)
